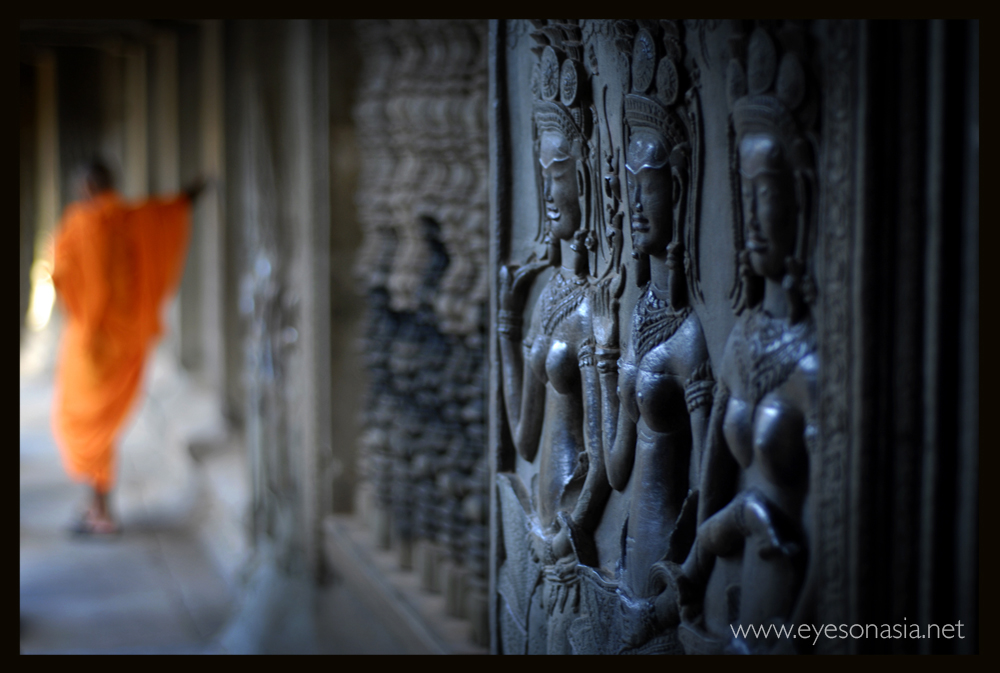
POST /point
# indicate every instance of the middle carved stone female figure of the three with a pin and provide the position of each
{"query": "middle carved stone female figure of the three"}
(663, 382)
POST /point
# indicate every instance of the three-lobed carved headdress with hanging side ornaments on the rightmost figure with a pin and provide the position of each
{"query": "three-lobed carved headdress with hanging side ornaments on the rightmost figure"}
(771, 96)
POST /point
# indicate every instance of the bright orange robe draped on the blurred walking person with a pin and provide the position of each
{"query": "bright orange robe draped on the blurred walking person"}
(115, 264)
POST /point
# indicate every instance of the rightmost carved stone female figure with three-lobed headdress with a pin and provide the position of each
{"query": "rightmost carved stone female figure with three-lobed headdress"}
(749, 557)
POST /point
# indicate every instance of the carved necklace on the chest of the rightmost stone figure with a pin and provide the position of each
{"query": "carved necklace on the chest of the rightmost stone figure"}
(769, 351)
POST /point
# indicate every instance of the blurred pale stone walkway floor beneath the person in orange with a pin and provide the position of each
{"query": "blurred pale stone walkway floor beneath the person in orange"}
(153, 589)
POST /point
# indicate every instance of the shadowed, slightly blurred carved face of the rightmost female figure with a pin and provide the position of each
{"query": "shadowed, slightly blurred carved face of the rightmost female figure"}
(769, 204)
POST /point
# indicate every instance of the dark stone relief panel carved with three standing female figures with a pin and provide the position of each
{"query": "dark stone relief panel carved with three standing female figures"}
(661, 402)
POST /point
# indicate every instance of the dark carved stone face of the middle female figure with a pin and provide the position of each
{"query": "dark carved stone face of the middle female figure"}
(650, 197)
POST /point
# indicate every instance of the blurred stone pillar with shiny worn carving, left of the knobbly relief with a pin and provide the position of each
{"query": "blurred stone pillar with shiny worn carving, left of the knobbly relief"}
(277, 175)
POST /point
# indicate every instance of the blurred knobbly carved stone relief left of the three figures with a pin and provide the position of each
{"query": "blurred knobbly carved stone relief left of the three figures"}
(422, 203)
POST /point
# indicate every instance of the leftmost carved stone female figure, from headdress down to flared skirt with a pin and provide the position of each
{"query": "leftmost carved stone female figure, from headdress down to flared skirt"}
(550, 384)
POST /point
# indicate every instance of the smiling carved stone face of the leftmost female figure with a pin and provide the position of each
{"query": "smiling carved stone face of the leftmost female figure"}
(559, 185)
